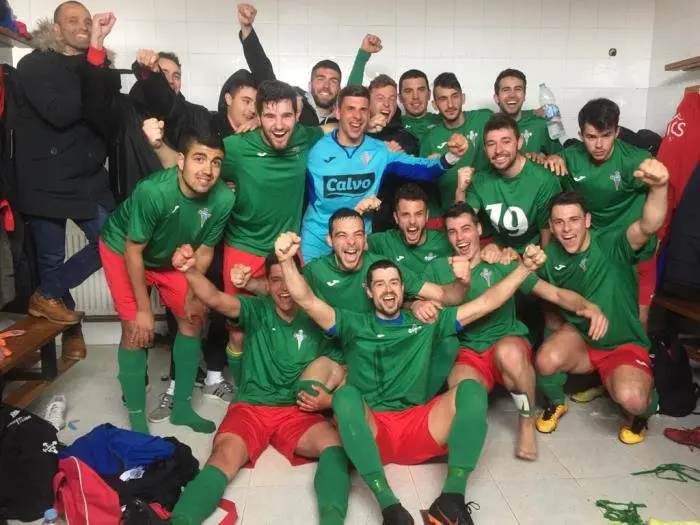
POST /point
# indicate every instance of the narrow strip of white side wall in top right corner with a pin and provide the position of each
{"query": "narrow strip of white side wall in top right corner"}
(676, 37)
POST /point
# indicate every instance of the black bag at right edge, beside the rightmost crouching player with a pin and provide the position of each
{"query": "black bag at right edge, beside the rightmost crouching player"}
(673, 377)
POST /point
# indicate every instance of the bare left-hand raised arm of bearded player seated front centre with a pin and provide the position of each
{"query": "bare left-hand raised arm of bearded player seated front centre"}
(286, 248)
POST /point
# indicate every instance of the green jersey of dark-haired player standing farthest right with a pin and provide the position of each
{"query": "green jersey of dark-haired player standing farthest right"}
(612, 194)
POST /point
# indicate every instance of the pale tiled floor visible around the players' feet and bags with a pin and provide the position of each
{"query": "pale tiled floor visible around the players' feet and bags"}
(579, 463)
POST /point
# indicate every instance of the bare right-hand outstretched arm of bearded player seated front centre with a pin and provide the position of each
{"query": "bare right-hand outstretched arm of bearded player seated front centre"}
(494, 297)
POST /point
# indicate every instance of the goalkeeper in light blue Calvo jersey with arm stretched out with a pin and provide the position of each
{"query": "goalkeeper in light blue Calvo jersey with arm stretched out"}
(346, 166)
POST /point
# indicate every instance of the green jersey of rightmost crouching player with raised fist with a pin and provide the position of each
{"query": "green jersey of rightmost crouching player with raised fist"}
(605, 275)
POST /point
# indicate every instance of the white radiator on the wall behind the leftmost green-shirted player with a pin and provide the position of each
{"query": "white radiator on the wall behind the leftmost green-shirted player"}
(92, 296)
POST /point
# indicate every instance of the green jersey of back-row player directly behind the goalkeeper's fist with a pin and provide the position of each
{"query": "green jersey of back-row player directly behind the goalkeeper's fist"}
(436, 142)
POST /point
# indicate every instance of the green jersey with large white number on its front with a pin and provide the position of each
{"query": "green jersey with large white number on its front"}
(517, 207)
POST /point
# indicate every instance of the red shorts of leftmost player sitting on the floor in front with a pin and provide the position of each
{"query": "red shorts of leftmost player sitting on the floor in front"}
(259, 426)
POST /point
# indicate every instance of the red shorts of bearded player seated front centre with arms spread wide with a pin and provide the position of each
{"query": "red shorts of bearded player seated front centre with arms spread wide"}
(404, 438)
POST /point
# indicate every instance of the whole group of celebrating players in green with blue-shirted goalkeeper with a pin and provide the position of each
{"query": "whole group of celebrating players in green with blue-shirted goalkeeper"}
(514, 261)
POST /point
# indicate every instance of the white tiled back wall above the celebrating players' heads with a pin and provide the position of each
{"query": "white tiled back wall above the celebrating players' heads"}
(564, 43)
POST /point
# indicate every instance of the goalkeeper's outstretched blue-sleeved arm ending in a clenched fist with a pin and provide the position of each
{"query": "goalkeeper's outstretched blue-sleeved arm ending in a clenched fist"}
(417, 168)
